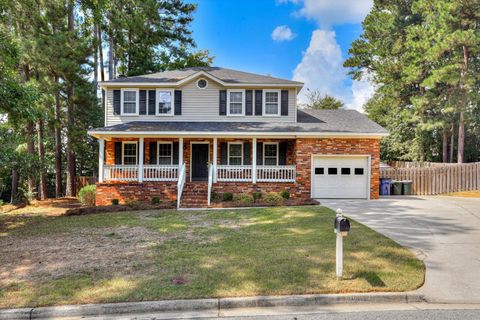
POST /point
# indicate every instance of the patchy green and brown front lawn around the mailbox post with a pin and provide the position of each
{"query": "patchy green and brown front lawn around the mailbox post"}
(148, 255)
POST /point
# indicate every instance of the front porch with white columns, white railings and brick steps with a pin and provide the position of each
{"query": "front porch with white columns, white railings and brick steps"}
(213, 164)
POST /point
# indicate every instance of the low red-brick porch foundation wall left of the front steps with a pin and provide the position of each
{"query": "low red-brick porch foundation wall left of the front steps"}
(124, 191)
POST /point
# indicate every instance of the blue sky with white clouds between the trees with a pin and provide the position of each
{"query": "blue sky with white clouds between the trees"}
(302, 40)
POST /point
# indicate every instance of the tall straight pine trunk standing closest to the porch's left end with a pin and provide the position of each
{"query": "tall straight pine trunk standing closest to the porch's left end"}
(70, 190)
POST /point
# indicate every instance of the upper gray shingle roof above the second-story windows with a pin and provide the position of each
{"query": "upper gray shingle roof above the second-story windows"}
(226, 75)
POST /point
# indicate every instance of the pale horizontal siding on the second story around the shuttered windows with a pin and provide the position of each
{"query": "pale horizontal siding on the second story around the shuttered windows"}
(201, 105)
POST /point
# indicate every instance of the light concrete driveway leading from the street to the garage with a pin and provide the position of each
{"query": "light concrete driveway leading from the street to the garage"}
(442, 231)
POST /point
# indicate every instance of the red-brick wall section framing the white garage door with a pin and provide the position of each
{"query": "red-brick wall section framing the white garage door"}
(306, 147)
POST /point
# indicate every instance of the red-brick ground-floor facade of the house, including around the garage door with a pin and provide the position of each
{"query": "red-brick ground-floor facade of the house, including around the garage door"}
(299, 152)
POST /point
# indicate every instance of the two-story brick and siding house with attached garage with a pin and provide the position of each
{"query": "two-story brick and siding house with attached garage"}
(183, 134)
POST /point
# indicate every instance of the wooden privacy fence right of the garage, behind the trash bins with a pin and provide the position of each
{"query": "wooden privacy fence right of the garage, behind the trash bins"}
(437, 179)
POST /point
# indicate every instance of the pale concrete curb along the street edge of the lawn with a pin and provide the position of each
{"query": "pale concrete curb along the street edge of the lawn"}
(206, 304)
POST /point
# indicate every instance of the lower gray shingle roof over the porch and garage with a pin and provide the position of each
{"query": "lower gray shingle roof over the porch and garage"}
(317, 121)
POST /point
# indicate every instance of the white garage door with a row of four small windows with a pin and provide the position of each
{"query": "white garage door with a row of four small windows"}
(340, 177)
